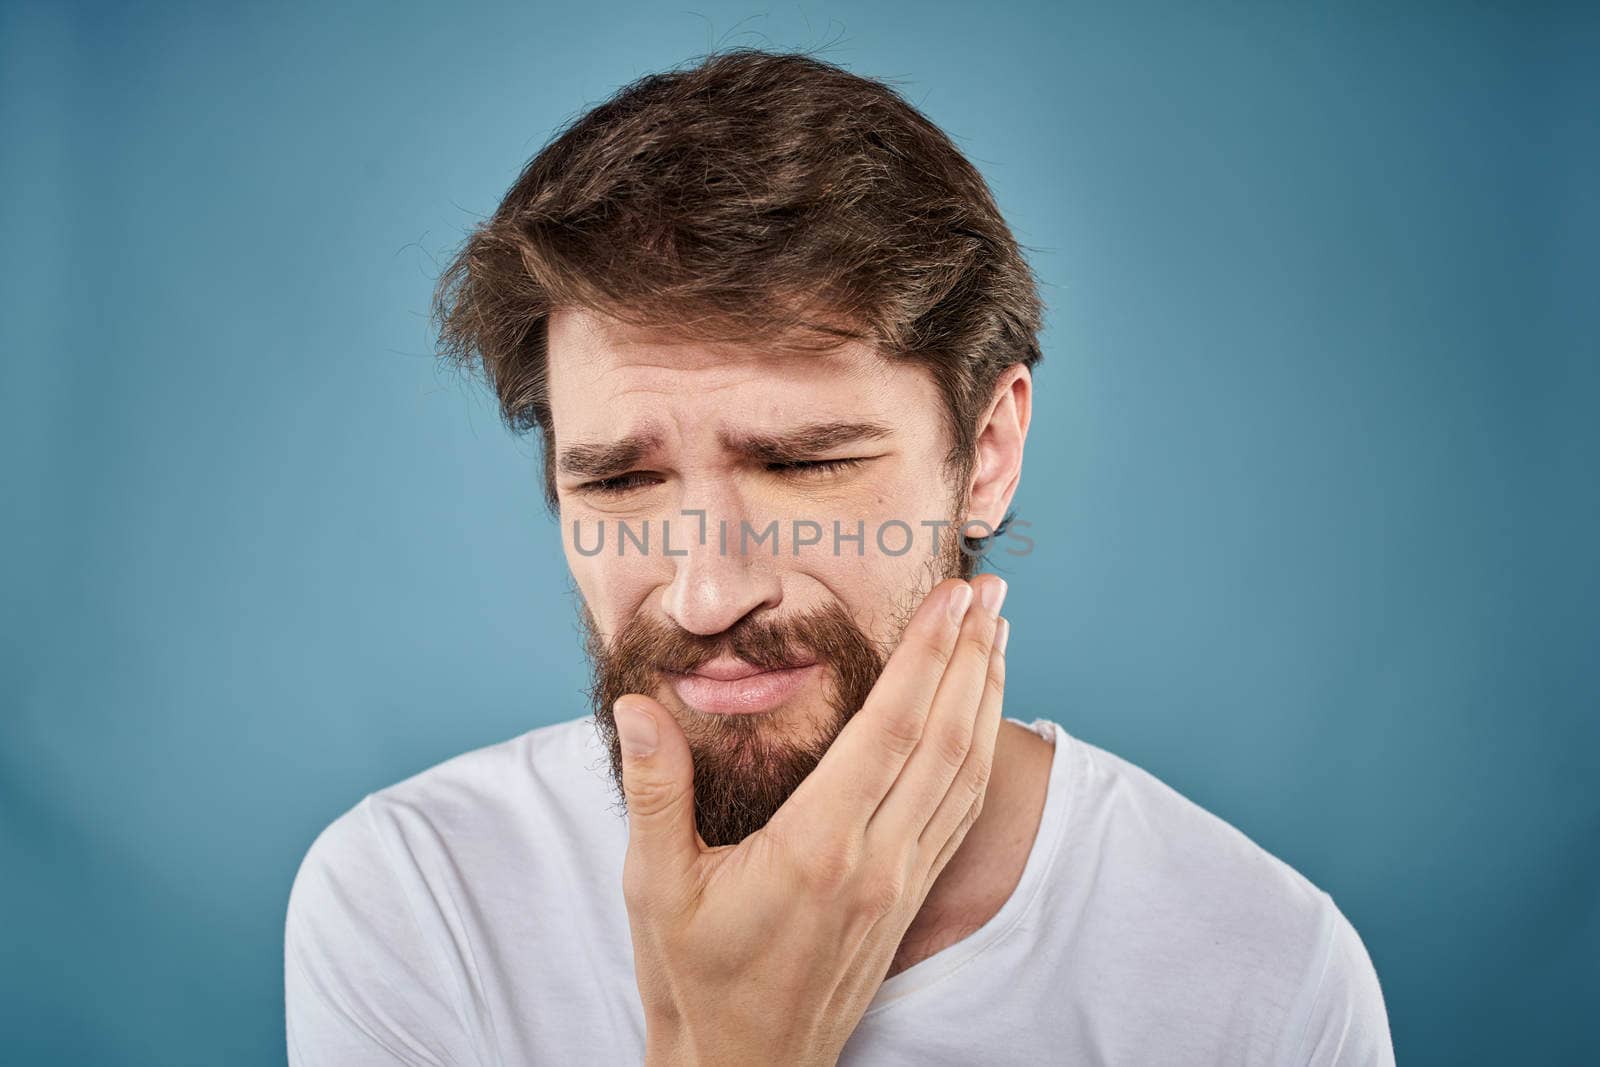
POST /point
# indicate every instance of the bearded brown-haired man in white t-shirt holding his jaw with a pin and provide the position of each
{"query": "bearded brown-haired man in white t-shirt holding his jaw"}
(778, 345)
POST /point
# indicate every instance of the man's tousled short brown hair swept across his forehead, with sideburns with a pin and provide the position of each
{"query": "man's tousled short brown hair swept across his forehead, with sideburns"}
(750, 198)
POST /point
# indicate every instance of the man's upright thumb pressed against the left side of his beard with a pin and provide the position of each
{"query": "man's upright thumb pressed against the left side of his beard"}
(658, 781)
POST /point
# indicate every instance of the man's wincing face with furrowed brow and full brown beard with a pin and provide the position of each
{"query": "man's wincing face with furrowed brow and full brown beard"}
(700, 489)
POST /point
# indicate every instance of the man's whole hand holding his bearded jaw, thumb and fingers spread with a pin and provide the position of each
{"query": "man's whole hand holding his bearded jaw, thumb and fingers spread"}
(772, 949)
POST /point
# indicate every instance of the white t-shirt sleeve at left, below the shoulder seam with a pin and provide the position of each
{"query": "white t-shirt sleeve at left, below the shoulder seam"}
(362, 985)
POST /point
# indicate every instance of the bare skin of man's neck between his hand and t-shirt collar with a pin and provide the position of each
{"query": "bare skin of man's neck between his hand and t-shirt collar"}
(986, 869)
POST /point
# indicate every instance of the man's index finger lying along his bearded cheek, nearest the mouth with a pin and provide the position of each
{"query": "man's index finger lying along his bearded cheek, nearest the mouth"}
(838, 799)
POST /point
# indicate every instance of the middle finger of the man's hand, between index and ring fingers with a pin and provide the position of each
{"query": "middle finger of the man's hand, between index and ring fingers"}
(948, 738)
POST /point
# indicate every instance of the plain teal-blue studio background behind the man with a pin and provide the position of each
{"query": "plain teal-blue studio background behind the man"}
(1313, 476)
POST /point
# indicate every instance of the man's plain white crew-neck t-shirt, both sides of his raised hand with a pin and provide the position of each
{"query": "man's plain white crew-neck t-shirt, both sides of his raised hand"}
(474, 916)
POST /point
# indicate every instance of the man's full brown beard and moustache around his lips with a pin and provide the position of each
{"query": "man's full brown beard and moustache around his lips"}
(746, 767)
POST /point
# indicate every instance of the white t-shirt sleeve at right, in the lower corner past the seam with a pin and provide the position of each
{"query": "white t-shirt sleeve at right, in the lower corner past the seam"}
(1346, 1023)
